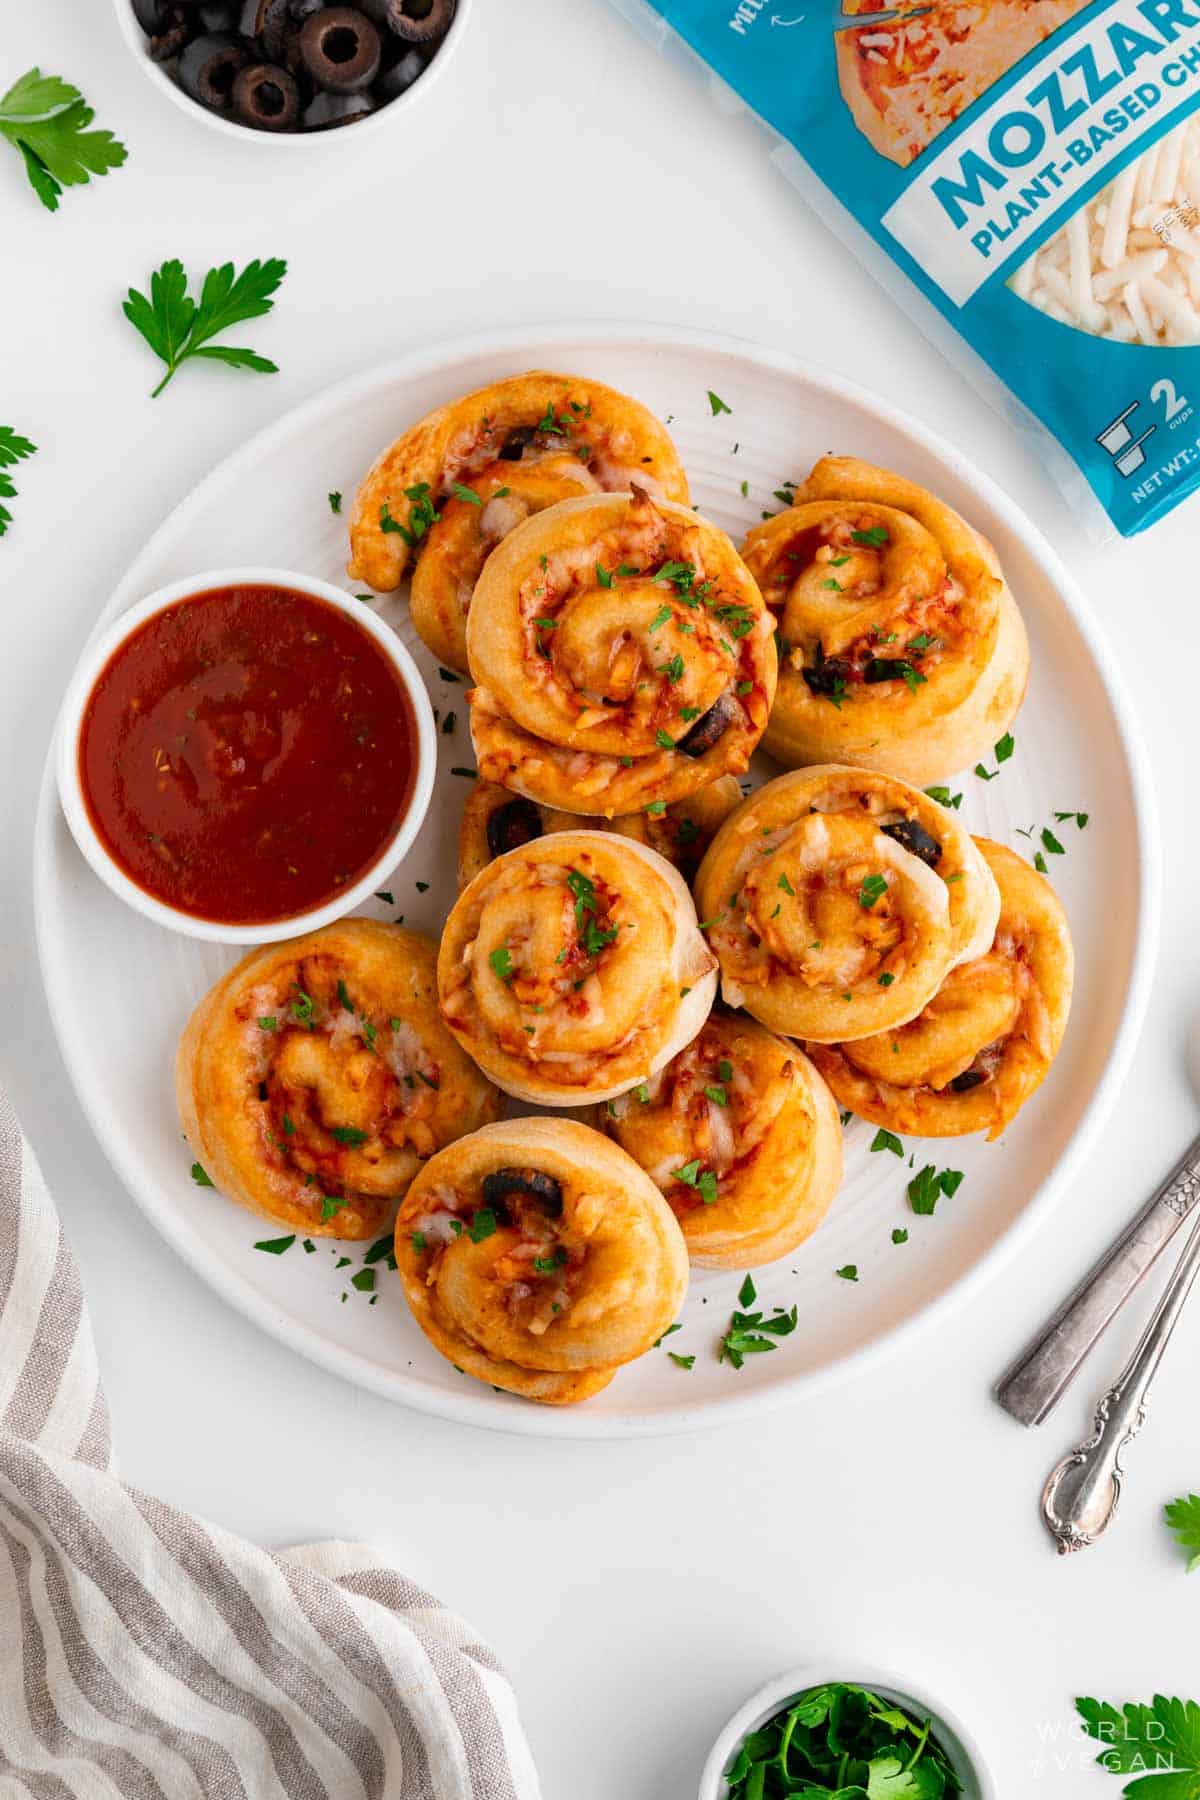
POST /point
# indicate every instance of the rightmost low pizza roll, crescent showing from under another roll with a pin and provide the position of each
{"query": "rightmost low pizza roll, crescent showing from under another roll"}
(987, 1039)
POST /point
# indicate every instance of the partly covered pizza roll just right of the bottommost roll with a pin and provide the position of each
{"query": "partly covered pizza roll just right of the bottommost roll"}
(744, 1138)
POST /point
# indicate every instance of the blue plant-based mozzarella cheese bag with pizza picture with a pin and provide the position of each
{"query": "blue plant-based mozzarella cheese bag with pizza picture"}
(1032, 172)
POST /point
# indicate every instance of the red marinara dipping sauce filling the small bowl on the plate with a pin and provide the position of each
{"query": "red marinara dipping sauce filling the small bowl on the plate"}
(247, 753)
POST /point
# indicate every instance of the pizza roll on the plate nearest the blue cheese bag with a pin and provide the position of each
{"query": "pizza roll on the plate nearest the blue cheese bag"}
(900, 645)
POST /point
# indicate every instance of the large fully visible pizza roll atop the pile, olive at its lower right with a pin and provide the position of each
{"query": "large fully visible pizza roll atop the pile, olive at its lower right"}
(623, 658)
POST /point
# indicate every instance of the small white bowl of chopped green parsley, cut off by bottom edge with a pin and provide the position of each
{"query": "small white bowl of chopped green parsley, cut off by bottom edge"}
(848, 1734)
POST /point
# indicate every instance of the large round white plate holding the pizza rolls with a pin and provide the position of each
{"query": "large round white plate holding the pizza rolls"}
(121, 989)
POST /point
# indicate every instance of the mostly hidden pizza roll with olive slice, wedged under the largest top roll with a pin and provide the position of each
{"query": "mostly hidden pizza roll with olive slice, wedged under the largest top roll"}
(496, 822)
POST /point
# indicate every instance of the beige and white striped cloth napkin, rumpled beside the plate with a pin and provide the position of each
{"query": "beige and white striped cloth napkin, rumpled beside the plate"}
(147, 1655)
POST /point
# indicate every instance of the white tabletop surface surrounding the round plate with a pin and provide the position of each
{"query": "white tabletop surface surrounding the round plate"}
(636, 1590)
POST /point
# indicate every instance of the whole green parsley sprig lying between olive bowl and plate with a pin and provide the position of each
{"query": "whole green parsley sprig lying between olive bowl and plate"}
(177, 327)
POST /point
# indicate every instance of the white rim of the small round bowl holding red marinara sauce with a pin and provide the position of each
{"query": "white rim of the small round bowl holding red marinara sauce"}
(71, 787)
